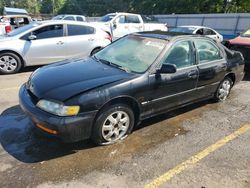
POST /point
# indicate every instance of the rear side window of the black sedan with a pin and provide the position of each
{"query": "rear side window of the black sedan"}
(207, 51)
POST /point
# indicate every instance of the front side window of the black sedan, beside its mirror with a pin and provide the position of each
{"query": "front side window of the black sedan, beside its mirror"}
(180, 55)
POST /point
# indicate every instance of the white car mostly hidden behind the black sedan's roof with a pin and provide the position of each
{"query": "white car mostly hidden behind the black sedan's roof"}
(199, 30)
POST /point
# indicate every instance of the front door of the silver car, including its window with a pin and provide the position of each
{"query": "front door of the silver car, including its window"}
(48, 47)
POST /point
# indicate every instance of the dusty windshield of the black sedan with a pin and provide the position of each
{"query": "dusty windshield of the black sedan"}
(132, 53)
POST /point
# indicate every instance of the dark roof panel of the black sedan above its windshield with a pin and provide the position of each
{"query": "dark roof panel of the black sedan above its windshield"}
(164, 34)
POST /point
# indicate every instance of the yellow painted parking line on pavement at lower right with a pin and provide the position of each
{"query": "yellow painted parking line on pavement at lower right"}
(196, 158)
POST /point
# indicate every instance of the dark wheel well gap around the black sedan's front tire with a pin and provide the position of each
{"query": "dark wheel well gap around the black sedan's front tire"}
(132, 103)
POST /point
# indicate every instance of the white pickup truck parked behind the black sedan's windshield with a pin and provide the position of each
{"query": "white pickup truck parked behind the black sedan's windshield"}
(121, 24)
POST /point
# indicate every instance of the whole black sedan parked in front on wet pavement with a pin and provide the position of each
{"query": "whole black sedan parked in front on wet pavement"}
(139, 76)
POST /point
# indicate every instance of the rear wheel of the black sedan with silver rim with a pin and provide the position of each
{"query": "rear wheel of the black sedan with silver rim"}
(223, 90)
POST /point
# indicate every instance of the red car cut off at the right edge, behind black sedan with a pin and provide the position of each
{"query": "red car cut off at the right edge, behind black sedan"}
(242, 44)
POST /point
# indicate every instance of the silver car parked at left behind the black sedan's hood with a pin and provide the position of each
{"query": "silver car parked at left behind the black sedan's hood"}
(47, 42)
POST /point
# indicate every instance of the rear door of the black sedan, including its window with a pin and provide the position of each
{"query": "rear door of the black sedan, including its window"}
(212, 66)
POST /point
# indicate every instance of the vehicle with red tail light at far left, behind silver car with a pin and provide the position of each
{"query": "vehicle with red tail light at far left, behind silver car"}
(11, 22)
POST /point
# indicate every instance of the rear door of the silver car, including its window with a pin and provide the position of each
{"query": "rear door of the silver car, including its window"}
(81, 40)
